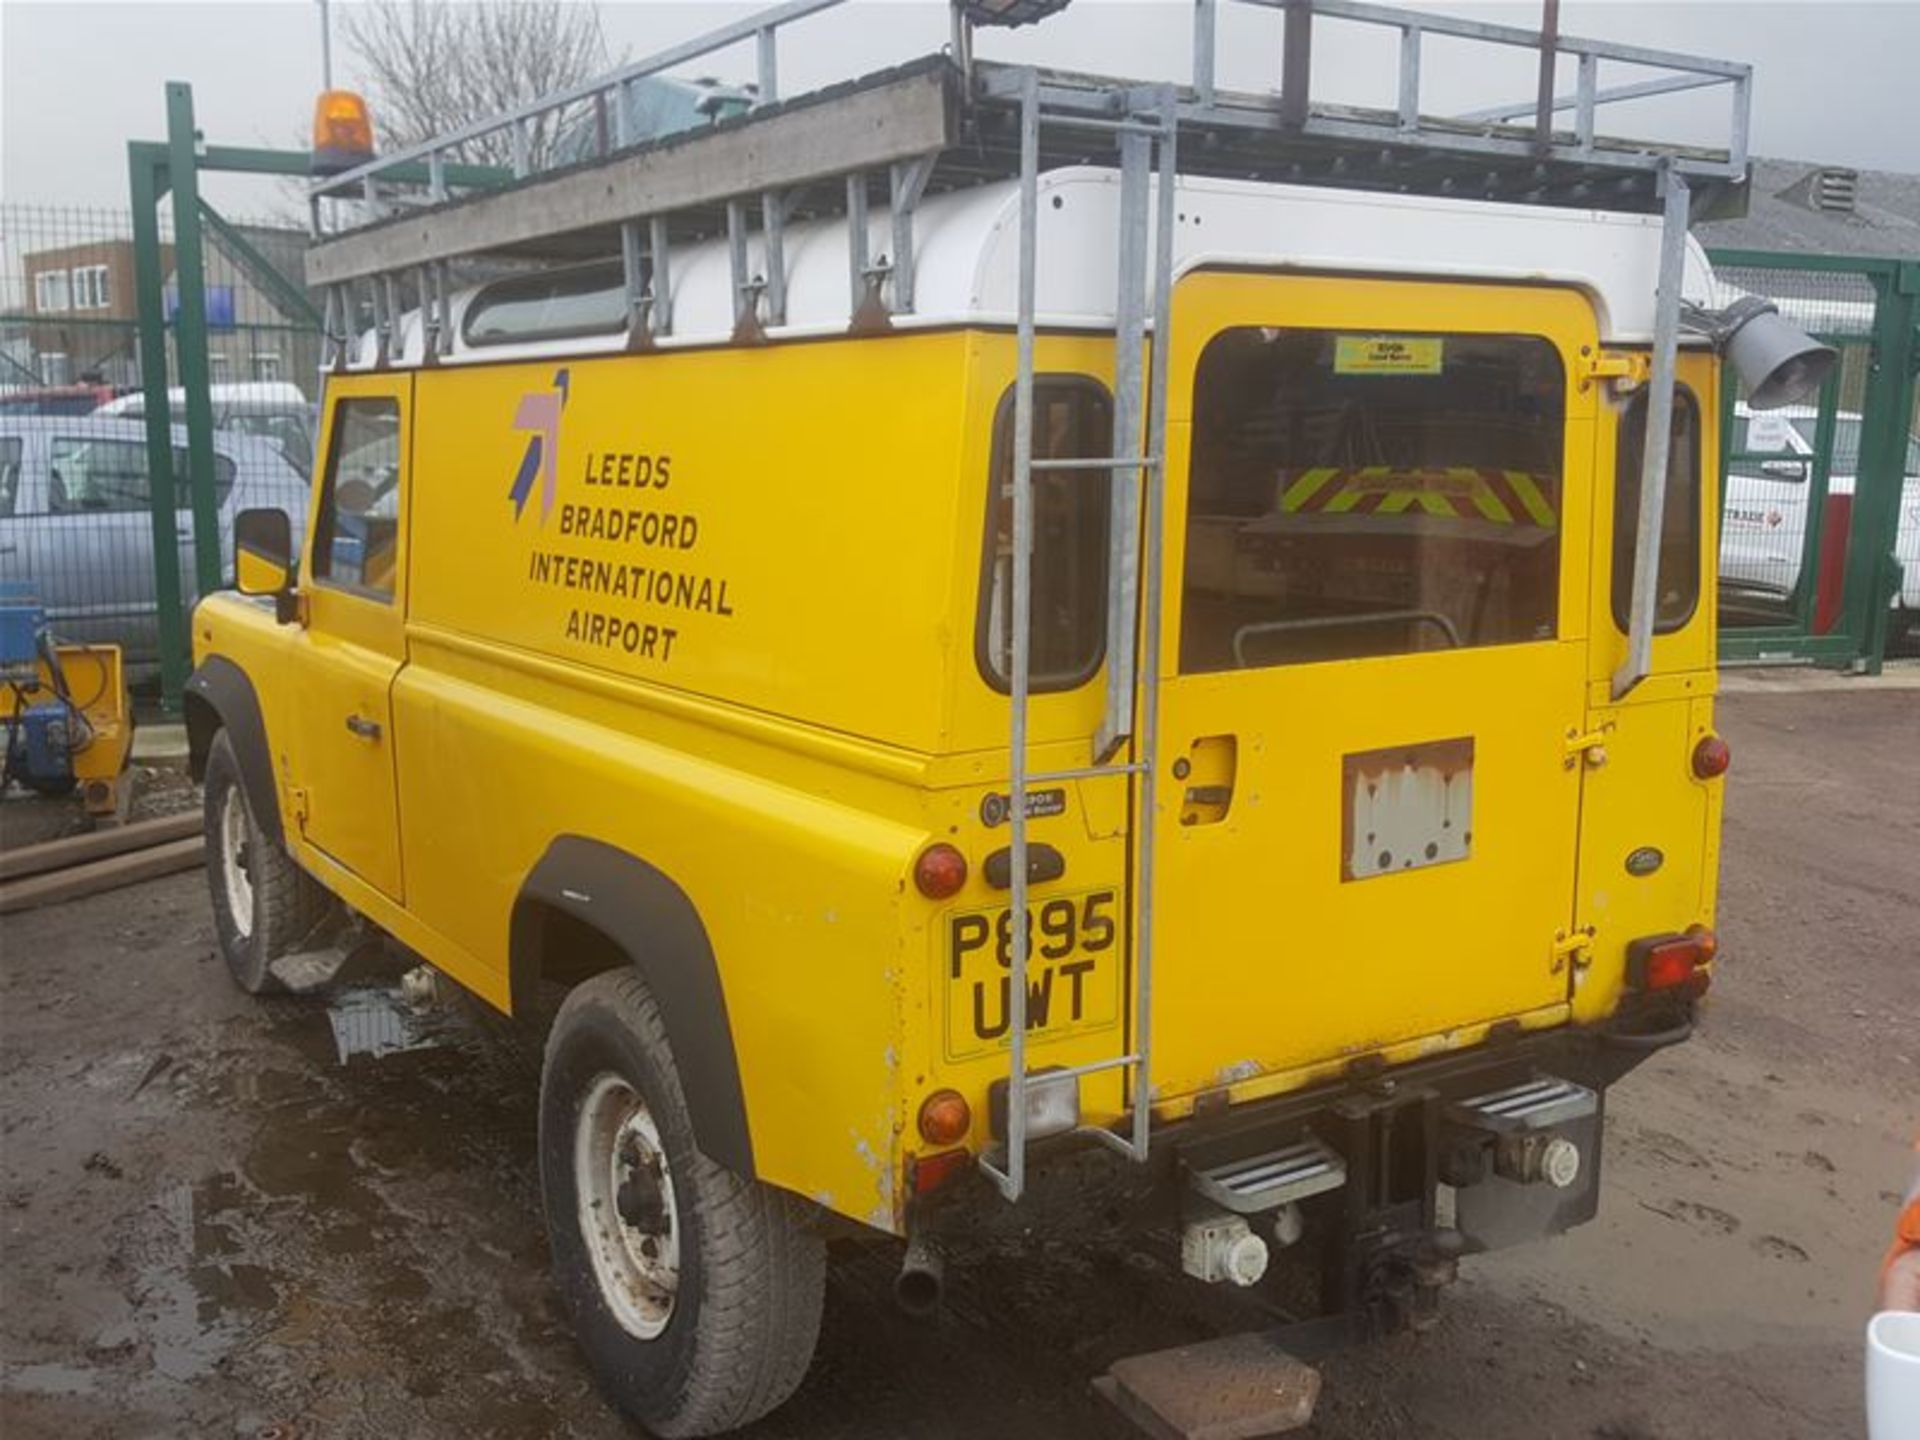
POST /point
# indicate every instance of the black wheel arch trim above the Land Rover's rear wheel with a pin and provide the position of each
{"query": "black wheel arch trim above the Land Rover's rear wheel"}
(656, 926)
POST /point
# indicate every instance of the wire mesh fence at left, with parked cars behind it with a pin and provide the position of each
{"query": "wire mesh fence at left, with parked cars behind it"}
(78, 521)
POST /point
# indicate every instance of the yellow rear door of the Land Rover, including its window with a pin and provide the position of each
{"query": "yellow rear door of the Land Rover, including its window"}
(1374, 661)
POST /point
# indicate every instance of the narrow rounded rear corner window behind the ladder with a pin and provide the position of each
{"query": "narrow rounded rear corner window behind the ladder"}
(1072, 420)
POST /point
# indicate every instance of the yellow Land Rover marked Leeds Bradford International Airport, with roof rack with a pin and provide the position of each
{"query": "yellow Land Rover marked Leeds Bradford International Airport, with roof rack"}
(992, 631)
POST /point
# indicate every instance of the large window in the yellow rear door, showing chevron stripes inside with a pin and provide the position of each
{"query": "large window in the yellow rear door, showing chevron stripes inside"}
(1372, 494)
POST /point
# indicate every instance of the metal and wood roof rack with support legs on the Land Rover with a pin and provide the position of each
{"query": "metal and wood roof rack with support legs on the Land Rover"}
(385, 235)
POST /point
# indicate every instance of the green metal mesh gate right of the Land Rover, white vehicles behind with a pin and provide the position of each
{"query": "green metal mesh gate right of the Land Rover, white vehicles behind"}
(1821, 502)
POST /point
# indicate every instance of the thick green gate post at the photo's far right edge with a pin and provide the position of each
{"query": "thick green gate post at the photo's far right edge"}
(1873, 571)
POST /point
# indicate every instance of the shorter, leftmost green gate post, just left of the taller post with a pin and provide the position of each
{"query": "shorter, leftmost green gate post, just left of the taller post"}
(147, 181)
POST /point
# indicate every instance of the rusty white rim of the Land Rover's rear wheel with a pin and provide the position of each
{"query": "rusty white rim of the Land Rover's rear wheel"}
(636, 1249)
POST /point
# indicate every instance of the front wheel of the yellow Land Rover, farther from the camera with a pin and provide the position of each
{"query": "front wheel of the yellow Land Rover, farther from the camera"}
(264, 905)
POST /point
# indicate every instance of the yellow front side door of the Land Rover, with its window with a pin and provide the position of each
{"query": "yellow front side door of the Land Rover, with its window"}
(354, 640)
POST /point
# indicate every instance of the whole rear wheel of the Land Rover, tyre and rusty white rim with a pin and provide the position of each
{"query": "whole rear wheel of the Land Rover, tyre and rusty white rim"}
(694, 1293)
